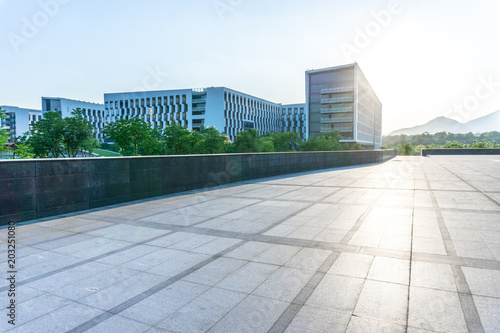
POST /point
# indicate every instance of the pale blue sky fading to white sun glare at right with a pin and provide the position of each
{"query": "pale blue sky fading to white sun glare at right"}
(424, 58)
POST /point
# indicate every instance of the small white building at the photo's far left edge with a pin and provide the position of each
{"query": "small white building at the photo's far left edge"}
(19, 120)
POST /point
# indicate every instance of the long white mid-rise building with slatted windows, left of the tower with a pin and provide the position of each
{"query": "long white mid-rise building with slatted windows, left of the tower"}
(227, 110)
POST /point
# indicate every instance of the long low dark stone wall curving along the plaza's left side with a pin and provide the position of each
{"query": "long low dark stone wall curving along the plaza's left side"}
(31, 189)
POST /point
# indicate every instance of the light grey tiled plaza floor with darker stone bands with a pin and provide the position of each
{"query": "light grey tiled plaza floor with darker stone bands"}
(411, 245)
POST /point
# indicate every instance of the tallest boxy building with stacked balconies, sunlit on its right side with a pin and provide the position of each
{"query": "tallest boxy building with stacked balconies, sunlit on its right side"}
(340, 98)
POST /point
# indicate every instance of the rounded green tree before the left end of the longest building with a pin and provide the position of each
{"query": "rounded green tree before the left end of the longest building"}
(128, 134)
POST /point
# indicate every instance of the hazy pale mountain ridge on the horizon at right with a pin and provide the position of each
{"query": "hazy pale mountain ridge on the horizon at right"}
(487, 123)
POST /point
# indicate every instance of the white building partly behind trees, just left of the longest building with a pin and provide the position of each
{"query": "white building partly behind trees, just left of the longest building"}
(93, 112)
